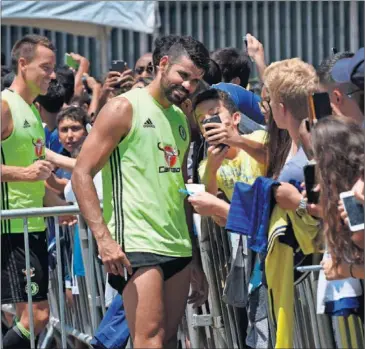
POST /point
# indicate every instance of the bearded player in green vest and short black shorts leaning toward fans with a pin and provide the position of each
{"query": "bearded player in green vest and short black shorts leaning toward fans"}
(140, 140)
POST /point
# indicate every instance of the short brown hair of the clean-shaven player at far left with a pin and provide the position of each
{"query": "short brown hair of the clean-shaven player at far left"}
(26, 47)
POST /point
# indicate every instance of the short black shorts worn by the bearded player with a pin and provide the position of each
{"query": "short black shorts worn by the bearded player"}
(170, 266)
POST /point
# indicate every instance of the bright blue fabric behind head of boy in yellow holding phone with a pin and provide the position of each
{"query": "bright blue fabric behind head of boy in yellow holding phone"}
(246, 101)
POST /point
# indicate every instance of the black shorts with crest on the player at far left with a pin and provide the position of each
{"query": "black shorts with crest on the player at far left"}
(13, 271)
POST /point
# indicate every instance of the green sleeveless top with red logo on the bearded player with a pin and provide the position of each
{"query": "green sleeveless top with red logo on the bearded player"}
(142, 204)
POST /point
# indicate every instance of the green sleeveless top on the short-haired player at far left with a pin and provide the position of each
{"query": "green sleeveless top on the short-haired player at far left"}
(22, 148)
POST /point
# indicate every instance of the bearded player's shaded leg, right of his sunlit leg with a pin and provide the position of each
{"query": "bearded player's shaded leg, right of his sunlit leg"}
(176, 292)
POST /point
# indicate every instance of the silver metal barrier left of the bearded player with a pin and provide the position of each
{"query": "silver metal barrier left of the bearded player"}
(80, 320)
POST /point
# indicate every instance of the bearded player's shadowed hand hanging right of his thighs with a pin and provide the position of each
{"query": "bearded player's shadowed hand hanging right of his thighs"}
(199, 286)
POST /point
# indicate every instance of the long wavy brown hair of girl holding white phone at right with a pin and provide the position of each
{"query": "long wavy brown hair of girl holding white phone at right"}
(338, 146)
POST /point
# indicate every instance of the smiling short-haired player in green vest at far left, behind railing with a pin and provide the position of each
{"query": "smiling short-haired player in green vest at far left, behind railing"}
(23, 174)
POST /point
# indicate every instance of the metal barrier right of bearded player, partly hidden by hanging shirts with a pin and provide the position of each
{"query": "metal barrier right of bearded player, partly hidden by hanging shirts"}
(219, 325)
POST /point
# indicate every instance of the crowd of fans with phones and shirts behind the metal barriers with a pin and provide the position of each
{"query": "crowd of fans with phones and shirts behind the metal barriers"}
(252, 162)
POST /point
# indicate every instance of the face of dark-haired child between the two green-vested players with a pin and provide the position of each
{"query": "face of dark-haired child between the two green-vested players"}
(71, 134)
